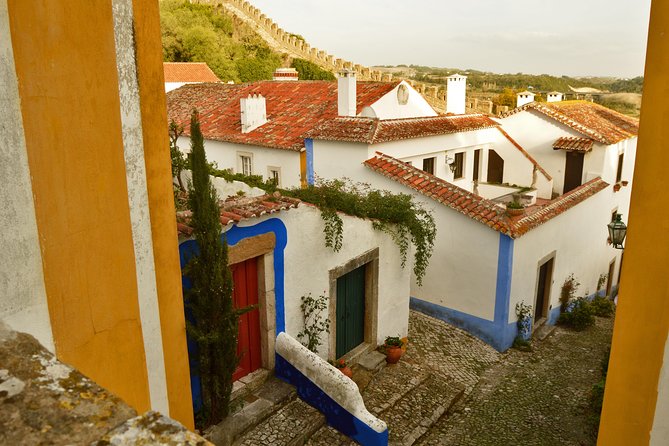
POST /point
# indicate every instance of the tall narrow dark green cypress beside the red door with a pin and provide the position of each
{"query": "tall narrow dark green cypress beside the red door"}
(210, 297)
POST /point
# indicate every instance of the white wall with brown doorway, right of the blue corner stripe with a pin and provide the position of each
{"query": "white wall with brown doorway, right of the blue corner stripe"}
(578, 239)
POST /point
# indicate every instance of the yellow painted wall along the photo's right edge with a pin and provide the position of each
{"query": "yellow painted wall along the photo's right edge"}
(642, 319)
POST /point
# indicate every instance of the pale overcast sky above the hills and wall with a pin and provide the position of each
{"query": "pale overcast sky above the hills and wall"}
(559, 37)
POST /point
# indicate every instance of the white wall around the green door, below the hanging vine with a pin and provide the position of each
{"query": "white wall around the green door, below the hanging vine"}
(308, 262)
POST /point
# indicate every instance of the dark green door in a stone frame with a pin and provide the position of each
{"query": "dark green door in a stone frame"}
(350, 311)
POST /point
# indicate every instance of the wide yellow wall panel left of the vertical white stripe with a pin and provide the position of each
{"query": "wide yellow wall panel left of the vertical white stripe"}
(66, 68)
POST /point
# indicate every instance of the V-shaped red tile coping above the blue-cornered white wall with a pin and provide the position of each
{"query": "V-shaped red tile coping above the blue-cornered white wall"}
(476, 207)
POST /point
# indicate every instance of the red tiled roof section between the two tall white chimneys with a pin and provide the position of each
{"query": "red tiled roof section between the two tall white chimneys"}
(372, 131)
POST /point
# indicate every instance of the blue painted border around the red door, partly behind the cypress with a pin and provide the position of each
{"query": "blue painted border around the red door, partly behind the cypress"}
(234, 235)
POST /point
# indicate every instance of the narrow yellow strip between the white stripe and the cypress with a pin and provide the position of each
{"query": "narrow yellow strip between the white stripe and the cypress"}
(161, 205)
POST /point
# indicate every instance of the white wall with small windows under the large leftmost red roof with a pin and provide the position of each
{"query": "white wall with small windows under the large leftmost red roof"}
(226, 156)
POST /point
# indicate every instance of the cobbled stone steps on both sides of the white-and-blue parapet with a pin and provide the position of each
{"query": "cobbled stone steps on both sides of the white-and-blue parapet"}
(410, 399)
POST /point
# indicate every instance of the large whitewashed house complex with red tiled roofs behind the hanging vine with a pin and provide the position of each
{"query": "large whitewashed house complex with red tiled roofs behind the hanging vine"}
(465, 168)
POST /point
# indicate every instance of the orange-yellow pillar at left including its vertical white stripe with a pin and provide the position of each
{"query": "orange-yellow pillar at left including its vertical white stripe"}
(94, 117)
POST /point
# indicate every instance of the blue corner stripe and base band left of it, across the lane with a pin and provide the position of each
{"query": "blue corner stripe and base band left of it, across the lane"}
(499, 333)
